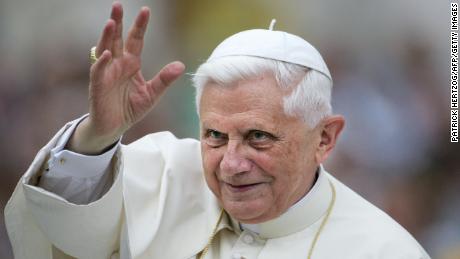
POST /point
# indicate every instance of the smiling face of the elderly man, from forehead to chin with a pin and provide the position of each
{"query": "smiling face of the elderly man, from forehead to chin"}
(257, 160)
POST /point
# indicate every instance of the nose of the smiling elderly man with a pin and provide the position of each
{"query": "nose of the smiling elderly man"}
(234, 161)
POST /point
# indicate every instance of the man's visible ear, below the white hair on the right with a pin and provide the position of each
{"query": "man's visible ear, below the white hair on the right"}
(330, 130)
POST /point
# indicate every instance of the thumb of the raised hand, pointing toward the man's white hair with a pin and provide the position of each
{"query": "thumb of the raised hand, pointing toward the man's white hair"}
(168, 74)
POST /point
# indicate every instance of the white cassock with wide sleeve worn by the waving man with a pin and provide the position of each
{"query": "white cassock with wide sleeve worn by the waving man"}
(159, 206)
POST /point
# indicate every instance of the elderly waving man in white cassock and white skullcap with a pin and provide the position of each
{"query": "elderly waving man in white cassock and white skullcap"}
(253, 187)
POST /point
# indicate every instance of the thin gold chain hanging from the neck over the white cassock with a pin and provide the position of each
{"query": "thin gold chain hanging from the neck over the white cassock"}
(203, 252)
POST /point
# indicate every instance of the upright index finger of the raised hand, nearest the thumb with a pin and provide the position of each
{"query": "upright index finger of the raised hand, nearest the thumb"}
(135, 40)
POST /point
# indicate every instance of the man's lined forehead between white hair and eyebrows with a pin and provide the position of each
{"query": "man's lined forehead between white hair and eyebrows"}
(255, 102)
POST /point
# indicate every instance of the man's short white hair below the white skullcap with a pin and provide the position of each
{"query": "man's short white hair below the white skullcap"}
(310, 98)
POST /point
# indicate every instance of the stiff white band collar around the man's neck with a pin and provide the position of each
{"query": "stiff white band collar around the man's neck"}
(299, 216)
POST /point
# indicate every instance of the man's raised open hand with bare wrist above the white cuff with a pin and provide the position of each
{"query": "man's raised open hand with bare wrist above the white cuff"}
(118, 93)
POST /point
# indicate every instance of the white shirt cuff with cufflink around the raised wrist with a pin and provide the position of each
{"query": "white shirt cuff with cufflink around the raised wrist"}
(78, 178)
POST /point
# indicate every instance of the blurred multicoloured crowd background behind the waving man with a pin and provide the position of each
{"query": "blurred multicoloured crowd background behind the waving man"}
(389, 60)
